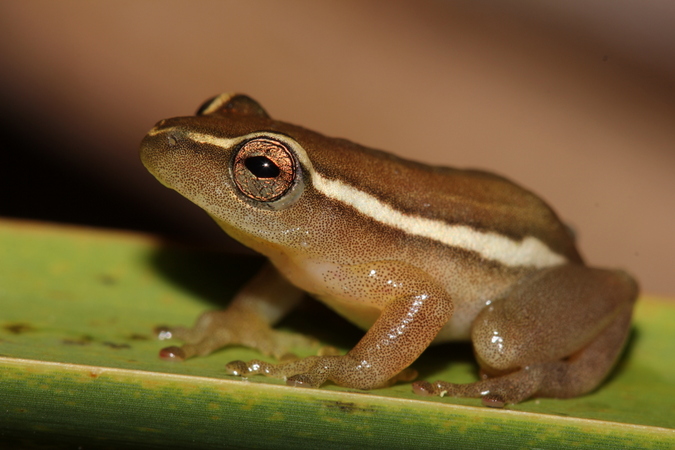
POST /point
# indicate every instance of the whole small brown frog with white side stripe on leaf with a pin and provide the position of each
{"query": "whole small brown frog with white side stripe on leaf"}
(414, 255)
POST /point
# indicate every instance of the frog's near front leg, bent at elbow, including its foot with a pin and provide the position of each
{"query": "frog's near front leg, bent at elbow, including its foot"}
(414, 309)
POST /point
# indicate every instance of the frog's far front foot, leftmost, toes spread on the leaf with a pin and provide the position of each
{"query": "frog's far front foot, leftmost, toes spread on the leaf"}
(216, 329)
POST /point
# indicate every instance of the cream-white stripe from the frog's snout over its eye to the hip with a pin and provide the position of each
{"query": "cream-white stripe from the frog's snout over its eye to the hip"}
(528, 252)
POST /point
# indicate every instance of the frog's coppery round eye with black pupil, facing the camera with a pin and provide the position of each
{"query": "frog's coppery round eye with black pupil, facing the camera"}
(263, 169)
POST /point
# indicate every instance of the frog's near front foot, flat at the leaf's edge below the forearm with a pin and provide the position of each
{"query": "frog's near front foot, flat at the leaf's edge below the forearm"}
(314, 371)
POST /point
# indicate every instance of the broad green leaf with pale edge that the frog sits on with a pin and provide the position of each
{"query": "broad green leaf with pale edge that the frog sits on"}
(79, 365)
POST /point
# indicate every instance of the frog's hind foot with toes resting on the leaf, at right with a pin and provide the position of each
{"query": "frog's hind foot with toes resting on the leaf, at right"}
(494, 392)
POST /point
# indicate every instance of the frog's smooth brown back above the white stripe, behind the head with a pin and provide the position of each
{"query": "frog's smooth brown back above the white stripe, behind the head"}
(476, 199)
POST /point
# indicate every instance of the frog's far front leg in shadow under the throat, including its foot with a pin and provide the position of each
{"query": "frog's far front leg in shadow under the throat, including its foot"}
(247, 321)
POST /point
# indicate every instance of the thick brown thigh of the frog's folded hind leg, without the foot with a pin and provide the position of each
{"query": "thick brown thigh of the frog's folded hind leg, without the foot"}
(551, 316)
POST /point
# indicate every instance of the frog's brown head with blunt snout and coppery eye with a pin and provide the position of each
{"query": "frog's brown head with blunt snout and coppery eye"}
(233, 161)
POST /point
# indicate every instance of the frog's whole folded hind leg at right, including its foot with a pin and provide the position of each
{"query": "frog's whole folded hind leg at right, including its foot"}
(558, 335)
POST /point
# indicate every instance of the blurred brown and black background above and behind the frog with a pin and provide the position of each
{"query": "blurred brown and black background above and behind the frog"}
(574, 100)
